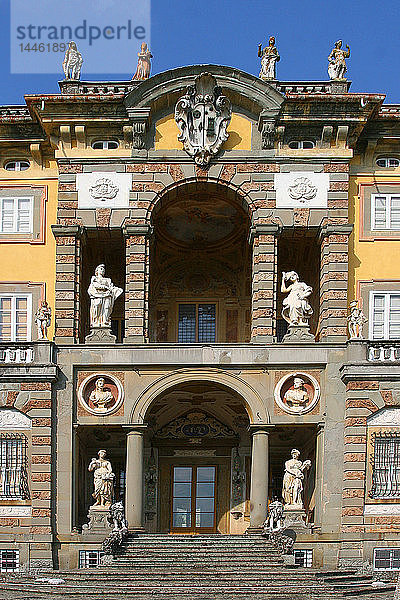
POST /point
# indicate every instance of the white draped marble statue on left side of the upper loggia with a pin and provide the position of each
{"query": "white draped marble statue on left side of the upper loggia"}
(103, 294)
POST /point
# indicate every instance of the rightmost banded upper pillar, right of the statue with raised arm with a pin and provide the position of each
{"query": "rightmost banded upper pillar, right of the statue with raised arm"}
(333, 282)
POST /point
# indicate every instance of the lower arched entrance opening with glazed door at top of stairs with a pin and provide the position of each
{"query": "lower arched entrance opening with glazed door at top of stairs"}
(197, 460)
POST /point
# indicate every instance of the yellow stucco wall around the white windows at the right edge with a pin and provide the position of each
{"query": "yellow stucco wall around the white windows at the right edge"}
(372, 258)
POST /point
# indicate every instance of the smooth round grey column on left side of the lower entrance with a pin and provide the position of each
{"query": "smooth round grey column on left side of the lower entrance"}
(134, 477)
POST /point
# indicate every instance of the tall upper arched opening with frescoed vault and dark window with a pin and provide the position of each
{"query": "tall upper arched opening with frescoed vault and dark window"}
(200, 273)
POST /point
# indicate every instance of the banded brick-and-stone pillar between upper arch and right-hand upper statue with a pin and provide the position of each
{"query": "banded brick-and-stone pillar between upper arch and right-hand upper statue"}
(264, 281)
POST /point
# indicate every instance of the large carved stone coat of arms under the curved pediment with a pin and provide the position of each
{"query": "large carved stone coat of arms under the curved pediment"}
(202, 115)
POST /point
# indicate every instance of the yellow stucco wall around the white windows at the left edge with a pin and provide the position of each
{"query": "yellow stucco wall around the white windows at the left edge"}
(24, 261)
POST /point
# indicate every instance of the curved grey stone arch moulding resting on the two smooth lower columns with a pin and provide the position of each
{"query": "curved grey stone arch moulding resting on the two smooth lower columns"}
(256, 410)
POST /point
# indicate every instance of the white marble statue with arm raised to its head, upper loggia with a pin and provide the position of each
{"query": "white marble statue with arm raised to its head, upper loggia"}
(295, 307)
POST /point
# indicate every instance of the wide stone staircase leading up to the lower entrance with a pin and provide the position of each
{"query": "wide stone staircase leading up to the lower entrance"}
(200, 567)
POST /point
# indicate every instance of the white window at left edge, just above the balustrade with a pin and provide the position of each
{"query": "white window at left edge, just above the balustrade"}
(15, 317)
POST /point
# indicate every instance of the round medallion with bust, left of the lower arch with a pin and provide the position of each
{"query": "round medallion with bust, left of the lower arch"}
(101, 394)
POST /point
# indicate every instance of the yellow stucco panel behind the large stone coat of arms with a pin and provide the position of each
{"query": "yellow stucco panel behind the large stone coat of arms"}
(239, 130)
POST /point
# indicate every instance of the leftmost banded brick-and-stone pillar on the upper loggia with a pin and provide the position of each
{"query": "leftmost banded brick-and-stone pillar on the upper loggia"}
(68, 282)
